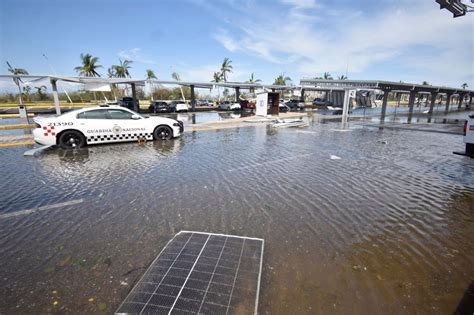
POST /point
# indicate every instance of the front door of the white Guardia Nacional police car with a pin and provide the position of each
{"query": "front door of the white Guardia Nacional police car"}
(126, 126)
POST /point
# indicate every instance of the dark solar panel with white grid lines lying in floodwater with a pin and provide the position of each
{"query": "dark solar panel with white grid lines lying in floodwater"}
(200, 273)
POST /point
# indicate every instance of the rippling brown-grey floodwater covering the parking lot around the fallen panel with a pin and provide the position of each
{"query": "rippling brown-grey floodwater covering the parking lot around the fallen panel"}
(357, 221)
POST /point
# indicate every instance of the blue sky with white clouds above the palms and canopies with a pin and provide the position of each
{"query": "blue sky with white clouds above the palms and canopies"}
(409, 40)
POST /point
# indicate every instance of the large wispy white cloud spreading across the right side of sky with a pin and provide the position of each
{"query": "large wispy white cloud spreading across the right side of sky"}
(403, 35)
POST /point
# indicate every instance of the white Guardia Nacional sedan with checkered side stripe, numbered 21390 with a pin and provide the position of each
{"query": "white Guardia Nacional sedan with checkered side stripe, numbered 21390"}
(103, 124)
